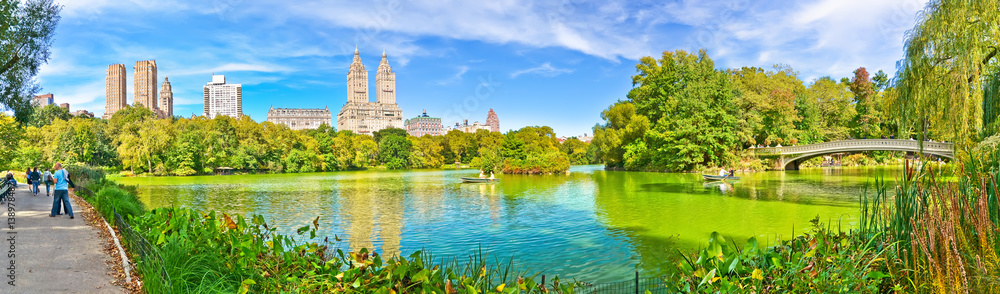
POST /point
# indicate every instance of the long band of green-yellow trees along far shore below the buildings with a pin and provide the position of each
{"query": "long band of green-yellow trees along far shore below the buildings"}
(135, 141)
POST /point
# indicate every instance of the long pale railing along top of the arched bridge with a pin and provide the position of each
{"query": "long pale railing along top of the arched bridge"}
(861, 143)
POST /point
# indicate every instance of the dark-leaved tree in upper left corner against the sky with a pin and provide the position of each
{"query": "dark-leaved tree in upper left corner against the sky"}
(26, 30)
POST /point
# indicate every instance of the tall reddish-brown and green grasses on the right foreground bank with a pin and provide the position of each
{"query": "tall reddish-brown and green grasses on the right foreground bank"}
(945, 233)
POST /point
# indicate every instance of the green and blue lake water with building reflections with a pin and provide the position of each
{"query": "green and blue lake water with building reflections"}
(591, 225)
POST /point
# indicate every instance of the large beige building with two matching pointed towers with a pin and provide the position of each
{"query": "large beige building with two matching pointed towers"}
(359, 114)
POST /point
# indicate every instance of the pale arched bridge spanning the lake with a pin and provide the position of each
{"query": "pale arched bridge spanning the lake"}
(790, 157)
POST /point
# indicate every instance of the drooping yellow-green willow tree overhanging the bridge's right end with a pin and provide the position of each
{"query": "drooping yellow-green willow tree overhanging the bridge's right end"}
(950, 55)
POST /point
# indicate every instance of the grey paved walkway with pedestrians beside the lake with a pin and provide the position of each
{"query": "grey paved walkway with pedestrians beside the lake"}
(51, 254)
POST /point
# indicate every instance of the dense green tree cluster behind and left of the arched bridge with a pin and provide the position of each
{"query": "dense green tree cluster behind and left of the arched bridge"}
(683, 114)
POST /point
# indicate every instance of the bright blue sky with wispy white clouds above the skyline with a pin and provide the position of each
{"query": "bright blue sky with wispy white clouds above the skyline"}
(555, 63)
